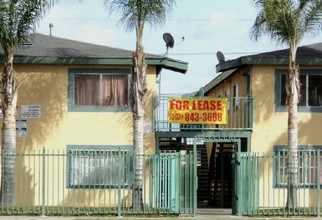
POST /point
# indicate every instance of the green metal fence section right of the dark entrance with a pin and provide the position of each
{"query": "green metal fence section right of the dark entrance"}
(261, 184)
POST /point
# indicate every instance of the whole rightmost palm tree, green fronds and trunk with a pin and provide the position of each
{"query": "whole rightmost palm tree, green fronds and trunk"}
(288, 22)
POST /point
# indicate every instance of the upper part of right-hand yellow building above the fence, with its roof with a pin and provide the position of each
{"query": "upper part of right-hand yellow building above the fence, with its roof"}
(262, 78)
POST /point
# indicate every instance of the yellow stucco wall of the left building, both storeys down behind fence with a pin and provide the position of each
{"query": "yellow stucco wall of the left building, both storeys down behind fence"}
(47, 86)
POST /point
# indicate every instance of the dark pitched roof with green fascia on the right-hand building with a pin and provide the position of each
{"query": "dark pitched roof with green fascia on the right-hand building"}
(306, 55)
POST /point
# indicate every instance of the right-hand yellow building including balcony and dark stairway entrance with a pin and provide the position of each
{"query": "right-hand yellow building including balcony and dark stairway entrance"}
(256, 123)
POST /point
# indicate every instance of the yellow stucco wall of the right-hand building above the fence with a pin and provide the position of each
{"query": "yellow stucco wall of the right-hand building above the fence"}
(270, 127)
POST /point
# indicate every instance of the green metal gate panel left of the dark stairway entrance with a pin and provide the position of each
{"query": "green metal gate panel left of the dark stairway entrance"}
(174, 182)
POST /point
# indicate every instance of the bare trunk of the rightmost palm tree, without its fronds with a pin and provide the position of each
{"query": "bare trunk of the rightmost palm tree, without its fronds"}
(293, 89)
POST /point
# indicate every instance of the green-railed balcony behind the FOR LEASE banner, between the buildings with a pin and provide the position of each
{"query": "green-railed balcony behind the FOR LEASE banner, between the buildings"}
(239, 116)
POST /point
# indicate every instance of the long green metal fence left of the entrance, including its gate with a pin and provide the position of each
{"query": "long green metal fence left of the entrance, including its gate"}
(100, 183)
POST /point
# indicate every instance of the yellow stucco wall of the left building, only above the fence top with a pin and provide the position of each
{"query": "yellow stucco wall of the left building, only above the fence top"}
(46, 85)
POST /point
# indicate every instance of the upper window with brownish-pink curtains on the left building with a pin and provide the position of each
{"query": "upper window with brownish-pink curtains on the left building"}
(98, 90)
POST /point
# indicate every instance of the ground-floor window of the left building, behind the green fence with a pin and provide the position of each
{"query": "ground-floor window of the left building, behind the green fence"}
(99, 167)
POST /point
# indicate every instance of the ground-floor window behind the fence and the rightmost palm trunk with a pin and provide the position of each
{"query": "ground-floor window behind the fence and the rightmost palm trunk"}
(307, 166)
